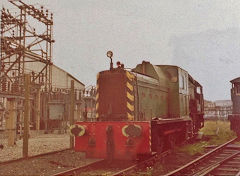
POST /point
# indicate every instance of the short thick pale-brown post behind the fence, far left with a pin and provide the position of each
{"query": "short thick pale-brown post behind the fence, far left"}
(11, 121)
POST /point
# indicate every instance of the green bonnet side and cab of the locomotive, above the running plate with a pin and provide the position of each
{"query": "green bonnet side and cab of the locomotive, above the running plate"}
(177, 94)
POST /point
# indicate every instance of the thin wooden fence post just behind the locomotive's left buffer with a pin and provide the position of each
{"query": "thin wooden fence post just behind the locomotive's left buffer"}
(72, 111)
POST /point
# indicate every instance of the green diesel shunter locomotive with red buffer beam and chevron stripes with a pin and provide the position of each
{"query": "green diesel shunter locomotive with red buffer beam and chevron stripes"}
(138, 112)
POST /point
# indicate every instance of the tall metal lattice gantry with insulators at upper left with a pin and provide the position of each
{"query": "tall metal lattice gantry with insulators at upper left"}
(26, 38)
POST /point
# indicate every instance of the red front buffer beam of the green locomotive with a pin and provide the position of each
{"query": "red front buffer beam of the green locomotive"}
(110, 139)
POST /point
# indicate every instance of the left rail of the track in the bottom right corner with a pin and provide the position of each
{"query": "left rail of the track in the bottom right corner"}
(196, 161)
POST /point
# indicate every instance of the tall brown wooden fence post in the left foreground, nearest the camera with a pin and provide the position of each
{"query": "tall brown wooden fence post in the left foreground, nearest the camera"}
(26, 114)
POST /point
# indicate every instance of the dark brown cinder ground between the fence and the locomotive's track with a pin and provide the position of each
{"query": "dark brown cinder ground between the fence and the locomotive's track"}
(45, 164)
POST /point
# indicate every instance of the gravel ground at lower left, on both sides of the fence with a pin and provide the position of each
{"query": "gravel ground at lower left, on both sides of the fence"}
(43, 165)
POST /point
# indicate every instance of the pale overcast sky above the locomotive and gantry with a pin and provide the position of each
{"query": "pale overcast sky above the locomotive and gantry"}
(203, 37)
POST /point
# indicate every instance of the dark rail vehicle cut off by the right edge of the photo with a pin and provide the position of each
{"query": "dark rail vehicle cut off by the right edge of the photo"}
(235, 116)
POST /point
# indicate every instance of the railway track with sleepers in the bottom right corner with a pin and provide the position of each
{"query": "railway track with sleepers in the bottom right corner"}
(221, 161)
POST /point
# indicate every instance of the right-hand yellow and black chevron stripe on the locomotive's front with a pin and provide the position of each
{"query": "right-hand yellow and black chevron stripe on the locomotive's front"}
(130, 95)
